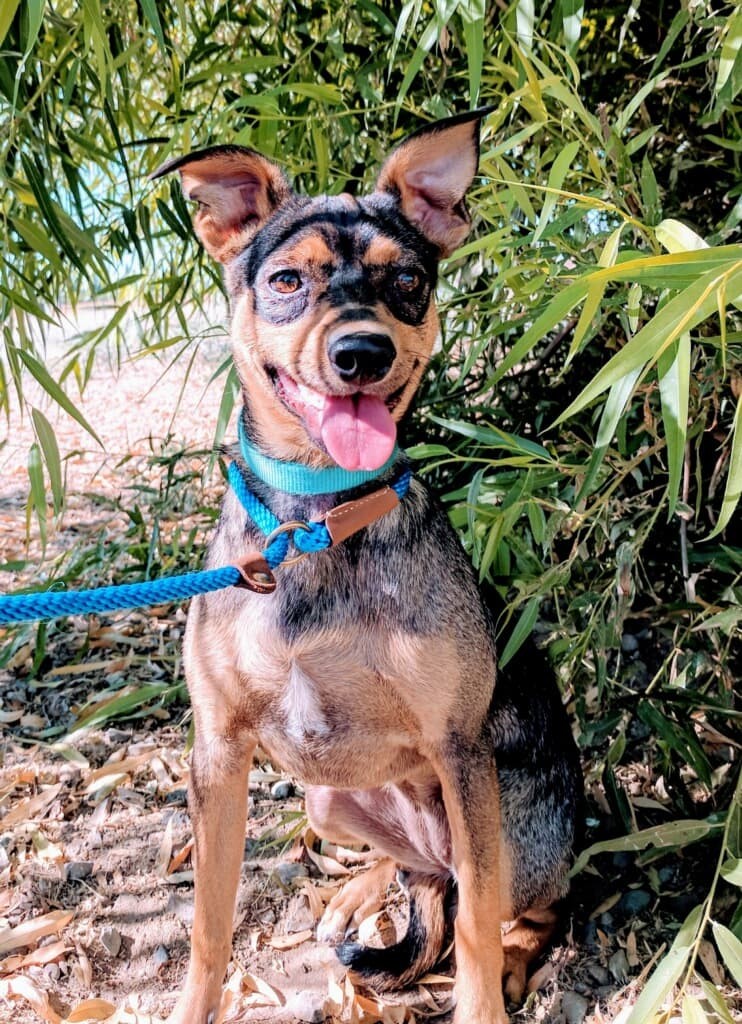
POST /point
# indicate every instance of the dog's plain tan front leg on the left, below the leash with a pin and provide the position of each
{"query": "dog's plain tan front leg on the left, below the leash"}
(219, 803)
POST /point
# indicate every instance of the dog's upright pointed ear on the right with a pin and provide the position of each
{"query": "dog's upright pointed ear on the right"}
(430, 174)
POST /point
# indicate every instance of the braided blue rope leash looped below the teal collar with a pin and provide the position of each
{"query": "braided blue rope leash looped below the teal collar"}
(52, 605)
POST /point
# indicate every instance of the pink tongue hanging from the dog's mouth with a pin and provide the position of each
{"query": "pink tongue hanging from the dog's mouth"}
(358, 432)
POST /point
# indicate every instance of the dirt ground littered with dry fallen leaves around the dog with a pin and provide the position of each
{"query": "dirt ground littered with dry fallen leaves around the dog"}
(96, 876)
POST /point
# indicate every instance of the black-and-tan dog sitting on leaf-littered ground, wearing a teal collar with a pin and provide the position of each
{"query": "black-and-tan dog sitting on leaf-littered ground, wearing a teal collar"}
(368, 671)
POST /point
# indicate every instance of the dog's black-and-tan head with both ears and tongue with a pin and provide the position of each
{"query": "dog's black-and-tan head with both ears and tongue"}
(334, 318)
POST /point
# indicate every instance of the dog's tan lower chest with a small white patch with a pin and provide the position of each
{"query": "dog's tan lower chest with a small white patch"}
(342, 706)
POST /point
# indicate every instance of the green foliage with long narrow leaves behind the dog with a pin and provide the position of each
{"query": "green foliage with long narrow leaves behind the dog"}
(583, 416)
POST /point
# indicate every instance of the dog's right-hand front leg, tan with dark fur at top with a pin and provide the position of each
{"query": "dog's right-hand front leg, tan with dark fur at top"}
(471, 797)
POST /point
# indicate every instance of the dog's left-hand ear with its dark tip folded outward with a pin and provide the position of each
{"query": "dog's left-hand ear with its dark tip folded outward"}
(237, 190)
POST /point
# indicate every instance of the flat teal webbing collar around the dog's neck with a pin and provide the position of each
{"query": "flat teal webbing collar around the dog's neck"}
(296, 479)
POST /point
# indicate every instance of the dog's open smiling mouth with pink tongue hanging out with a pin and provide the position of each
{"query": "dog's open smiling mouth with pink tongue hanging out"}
(358, 431)
